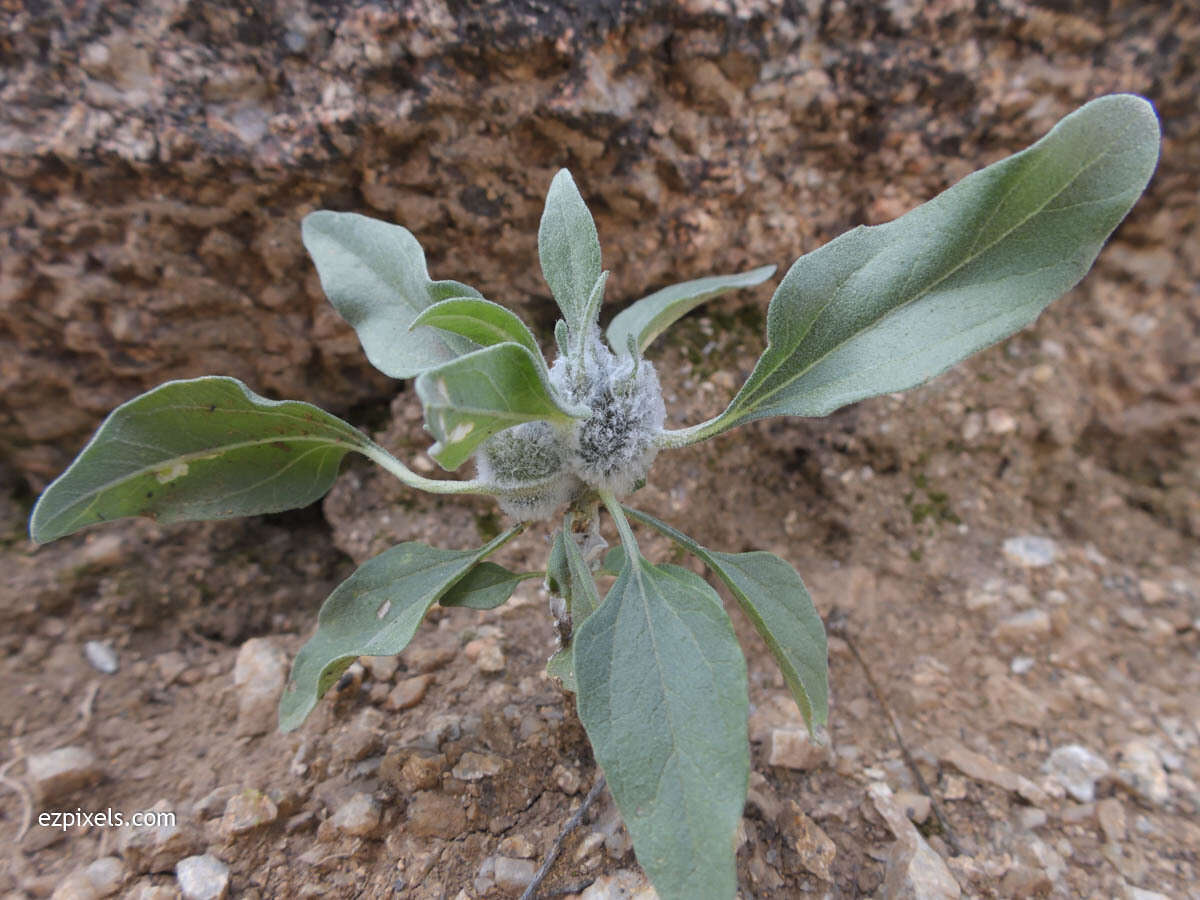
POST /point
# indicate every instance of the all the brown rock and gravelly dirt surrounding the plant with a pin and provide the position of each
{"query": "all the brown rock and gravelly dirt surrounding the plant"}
(158, 163)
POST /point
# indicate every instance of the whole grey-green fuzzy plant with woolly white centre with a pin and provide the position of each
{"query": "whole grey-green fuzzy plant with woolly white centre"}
(661, 682)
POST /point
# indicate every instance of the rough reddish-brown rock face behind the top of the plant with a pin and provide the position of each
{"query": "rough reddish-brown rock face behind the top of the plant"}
(158, 159)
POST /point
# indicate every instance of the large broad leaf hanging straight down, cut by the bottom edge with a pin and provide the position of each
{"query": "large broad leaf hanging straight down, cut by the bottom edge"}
(663, 697)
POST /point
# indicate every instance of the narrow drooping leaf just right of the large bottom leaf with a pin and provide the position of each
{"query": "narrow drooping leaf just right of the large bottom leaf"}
(776, 601)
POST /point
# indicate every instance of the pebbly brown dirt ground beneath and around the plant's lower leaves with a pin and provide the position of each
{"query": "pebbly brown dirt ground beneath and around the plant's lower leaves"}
(1011, 567)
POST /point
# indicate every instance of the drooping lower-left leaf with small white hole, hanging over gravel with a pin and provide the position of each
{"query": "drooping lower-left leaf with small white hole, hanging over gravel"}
(374, 614)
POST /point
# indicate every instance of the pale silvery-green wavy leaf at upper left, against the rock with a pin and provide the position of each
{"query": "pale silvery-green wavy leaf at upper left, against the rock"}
(375, 275)
